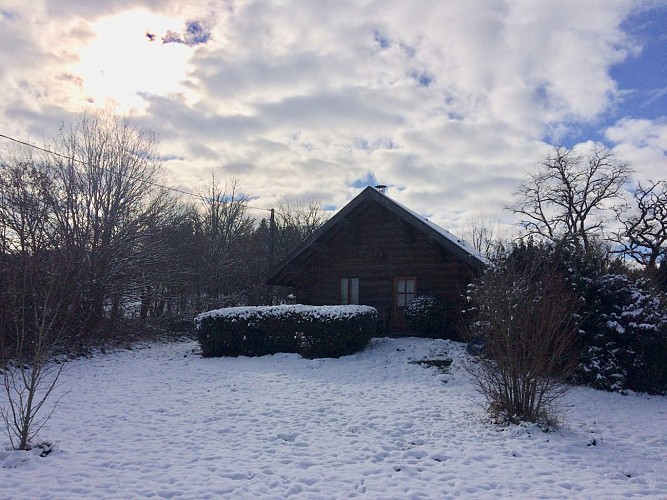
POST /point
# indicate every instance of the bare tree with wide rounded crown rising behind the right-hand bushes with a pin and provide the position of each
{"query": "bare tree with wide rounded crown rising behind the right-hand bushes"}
(568, 195)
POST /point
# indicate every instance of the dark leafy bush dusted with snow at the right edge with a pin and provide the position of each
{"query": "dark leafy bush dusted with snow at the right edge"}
(622, 340)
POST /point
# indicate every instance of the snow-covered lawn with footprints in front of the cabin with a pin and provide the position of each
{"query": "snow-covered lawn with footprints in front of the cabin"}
(161, 421)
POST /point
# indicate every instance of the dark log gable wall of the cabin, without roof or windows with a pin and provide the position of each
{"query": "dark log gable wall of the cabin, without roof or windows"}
(376, 246)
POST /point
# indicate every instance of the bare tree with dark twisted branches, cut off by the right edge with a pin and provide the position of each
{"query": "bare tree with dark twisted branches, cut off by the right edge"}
(644, 234)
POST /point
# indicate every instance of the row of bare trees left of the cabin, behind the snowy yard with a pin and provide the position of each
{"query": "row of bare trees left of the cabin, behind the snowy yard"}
(89, 238)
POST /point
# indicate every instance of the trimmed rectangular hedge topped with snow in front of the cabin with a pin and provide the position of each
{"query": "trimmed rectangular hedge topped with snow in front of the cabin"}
(312, 331)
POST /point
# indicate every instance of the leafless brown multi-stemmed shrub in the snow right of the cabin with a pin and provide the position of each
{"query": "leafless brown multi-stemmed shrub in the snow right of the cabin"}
(524, 316)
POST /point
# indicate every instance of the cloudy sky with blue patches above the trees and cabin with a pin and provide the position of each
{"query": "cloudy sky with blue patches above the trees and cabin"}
(448, 102)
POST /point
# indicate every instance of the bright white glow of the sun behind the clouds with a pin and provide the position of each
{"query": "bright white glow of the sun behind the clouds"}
(122, 62)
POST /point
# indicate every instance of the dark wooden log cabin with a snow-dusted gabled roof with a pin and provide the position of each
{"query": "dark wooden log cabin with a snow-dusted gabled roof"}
(376, 252)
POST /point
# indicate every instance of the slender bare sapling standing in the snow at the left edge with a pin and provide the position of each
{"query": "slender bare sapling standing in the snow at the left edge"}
(34, 297)
